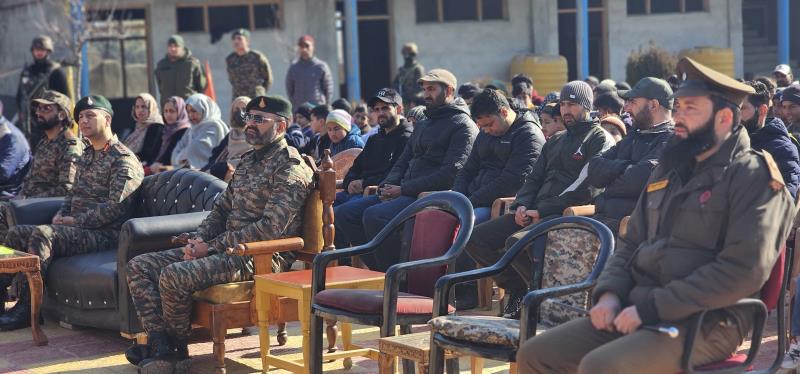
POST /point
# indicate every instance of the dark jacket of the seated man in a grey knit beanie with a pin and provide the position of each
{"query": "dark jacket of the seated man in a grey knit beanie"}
(548, 187)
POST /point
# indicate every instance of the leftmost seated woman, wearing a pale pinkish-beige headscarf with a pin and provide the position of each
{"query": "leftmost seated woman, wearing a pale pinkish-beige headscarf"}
(145, 140)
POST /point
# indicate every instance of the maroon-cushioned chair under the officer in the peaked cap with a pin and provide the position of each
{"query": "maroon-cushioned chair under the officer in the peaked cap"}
(773, 295)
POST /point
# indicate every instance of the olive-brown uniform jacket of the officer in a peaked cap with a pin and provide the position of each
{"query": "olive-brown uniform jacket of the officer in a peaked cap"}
(703, 244)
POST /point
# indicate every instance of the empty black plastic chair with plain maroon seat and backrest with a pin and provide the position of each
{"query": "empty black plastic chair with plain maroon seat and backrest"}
(450, 202)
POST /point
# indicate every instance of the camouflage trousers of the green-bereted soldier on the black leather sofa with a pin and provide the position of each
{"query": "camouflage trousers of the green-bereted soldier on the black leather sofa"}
(50, 241)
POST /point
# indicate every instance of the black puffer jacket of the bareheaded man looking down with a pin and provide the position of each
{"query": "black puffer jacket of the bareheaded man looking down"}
(498, 165)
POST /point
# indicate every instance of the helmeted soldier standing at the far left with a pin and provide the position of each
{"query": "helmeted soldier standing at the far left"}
(42, 74)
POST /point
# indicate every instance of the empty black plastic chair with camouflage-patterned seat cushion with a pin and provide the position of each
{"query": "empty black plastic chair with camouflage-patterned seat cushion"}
(498, 338)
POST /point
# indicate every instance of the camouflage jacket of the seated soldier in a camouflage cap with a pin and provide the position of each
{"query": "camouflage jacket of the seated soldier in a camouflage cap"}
(54, 165)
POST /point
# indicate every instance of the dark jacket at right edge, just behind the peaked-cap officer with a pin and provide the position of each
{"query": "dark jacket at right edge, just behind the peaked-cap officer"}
(774, 138)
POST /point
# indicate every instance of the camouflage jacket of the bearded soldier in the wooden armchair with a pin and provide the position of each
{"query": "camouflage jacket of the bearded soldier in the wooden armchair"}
(263, 201)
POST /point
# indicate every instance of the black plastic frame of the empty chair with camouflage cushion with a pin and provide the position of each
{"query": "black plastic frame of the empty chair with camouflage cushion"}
(534, 241)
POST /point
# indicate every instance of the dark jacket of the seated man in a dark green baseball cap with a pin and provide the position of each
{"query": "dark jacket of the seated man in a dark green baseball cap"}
(624, 169)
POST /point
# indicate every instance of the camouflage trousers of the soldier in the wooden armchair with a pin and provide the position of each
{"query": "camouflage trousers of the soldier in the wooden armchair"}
(162, 284)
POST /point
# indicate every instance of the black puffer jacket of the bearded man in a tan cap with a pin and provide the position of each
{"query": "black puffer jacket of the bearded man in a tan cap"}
(437, 150)
